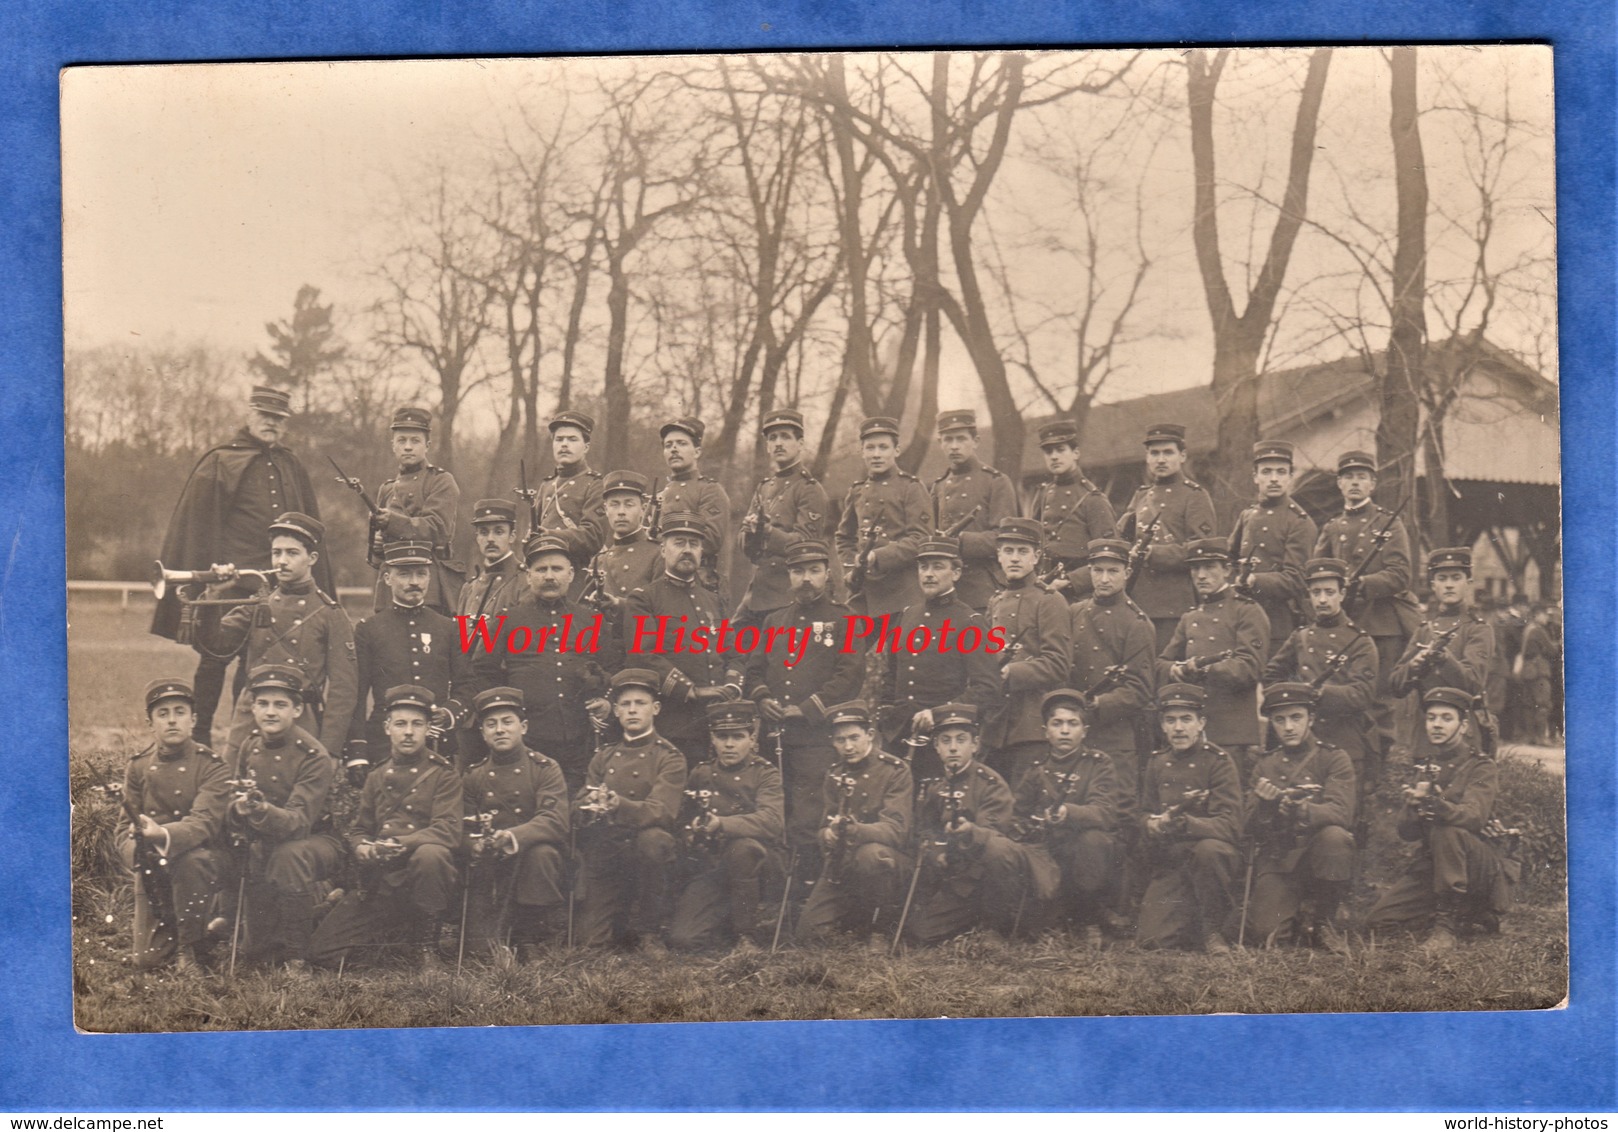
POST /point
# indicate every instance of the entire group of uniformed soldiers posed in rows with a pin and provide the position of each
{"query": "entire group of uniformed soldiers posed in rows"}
(1179, 741)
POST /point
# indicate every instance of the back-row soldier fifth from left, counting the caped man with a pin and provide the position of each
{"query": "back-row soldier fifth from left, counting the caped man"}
(787, 507)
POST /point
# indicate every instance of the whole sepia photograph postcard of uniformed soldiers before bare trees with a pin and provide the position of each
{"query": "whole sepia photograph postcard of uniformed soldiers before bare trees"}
(815, 536)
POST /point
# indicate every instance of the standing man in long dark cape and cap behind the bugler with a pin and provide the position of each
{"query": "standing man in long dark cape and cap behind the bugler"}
(232, 496)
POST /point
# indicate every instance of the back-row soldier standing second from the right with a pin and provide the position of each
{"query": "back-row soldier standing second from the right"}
(1273, 541)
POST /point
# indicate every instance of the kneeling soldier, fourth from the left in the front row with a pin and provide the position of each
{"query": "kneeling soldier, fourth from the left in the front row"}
(519, 801)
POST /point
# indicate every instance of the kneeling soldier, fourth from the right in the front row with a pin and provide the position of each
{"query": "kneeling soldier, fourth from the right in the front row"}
(1069, 813)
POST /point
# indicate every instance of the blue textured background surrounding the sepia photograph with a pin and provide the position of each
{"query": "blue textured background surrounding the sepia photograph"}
(1557, 1060)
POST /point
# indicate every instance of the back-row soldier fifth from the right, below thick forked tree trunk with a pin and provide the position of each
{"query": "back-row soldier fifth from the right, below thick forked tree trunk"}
(973, 494)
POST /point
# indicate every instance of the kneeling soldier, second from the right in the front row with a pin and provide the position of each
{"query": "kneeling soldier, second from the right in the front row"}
(1300, 821)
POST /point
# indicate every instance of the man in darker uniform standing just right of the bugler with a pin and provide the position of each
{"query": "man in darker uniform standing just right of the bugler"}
(407, 644)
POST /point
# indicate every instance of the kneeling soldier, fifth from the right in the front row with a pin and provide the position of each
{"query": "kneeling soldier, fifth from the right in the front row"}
(976, 874)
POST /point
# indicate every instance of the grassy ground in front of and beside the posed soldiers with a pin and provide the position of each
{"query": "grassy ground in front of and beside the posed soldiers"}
(111, 659)
